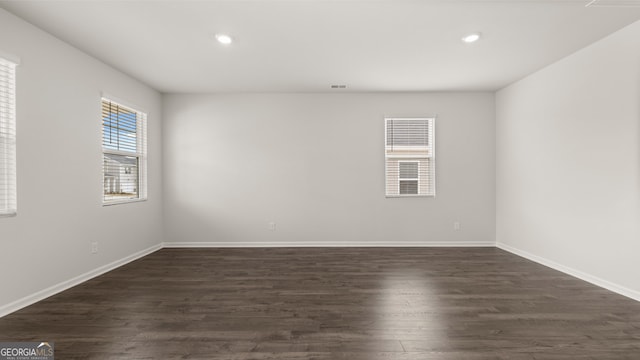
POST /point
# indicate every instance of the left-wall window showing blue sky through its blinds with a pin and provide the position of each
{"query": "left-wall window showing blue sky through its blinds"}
(124, 153)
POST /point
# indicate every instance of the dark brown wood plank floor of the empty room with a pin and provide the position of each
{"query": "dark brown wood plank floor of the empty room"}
(333, 303)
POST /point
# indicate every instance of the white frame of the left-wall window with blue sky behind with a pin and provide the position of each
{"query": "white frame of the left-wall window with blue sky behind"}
(140, 155)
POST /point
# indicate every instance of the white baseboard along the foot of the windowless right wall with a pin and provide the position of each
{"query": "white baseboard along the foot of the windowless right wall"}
(619, 289)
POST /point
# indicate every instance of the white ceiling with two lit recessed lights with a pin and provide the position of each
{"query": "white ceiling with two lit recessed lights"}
(307, 45)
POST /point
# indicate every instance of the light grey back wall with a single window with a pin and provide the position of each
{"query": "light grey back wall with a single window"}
(314, 164)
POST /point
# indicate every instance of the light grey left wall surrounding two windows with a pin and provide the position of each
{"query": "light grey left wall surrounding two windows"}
(59, 167)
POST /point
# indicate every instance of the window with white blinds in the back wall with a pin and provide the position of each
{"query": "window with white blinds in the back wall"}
(409, 157)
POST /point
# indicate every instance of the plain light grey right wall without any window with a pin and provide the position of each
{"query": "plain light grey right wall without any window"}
(568, 163)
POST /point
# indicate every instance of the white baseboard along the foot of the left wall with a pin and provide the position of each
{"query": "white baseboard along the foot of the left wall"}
(50, 291)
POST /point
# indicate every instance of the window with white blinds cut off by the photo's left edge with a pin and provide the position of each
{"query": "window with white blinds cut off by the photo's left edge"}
(8, 193)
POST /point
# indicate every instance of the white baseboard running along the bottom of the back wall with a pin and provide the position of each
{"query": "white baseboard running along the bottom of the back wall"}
(246, 244)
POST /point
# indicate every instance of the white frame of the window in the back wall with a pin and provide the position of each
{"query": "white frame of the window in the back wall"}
(431, 160)
